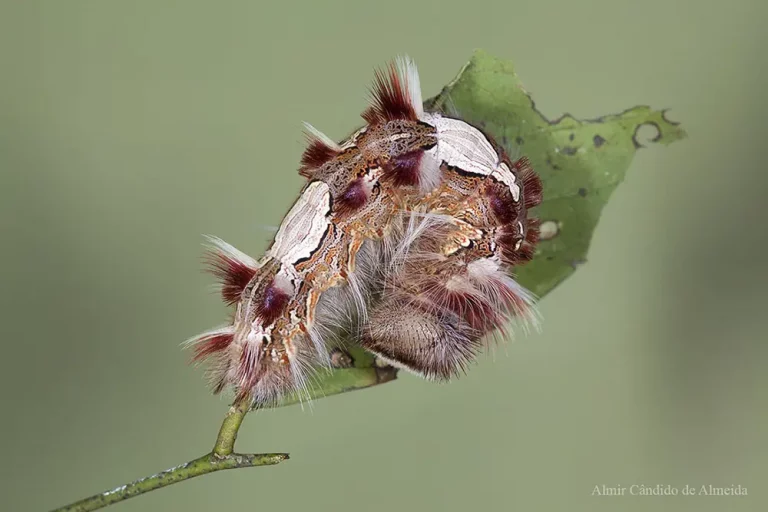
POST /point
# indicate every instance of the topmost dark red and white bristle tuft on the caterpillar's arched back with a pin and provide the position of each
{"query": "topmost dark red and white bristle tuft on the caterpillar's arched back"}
(390, 98)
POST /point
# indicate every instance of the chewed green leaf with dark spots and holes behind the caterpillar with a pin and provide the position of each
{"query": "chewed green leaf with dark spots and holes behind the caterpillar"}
(580, 162)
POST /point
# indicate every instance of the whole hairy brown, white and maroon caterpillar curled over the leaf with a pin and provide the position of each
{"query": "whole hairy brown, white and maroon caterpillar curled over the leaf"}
(403, 240)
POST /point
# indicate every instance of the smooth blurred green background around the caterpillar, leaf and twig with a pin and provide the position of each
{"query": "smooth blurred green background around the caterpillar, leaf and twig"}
(128, 129)
